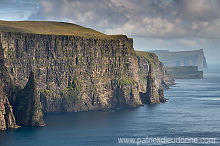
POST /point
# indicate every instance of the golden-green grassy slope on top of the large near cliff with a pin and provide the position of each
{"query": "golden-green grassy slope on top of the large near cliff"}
(53, 28)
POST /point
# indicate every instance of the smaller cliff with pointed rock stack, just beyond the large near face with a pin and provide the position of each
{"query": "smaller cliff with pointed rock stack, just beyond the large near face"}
(153, 78)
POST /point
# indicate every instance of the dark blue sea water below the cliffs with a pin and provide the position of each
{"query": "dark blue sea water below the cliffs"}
(193, 111)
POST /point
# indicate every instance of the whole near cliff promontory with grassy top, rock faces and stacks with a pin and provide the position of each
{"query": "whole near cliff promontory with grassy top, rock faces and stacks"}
(62, 67)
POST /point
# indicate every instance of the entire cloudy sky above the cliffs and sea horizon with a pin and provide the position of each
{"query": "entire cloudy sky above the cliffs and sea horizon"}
(174, 25)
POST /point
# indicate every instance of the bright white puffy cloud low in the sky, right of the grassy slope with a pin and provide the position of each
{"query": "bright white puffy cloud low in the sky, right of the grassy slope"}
(152, 27)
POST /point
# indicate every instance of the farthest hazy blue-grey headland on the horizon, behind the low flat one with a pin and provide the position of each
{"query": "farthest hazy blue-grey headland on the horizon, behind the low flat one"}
(182, 58)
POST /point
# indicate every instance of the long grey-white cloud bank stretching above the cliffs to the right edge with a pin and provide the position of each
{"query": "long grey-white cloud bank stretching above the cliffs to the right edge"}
(151, 18)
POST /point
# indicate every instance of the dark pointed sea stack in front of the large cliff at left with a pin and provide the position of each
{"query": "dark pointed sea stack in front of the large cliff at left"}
(28, 107)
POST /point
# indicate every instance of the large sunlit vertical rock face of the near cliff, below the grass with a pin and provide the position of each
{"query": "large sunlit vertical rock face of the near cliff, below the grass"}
(74, 73)
